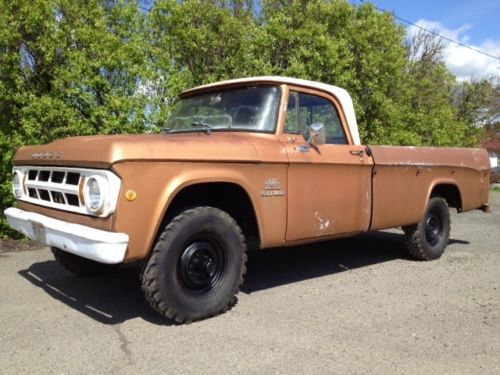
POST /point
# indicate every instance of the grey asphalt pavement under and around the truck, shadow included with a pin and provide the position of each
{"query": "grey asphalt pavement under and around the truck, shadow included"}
(355, 306)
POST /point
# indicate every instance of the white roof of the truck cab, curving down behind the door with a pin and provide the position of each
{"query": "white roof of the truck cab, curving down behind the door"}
(342, 95)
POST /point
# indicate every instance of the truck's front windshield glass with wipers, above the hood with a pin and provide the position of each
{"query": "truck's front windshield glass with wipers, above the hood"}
(248, 109)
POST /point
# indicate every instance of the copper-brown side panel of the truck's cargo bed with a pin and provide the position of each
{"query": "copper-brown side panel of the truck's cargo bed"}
(404, 178)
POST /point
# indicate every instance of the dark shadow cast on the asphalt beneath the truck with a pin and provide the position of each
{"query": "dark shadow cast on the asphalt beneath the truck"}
(117, 297)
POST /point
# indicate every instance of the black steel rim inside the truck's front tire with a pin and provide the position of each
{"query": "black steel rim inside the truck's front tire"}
(201, 265)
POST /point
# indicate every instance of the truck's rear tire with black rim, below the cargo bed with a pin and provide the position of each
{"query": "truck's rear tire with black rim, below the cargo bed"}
(427, 240)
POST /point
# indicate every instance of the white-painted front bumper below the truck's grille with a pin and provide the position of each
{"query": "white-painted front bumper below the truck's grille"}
(87, 242)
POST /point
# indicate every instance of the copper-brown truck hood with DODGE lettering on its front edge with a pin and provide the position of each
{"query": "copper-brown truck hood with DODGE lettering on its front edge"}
(102, 151)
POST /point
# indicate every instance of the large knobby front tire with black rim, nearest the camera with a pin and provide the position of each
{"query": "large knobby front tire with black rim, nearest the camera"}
(196, 267)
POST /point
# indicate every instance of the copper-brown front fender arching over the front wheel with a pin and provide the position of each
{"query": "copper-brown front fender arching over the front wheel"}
(156, 184)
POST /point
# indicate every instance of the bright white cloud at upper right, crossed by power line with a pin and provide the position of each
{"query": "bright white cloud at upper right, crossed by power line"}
(463, 62)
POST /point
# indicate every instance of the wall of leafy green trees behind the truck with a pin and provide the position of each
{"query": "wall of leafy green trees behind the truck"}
(85, 67)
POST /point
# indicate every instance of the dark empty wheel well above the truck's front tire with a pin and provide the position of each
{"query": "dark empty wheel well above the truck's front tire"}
(228, 197)
